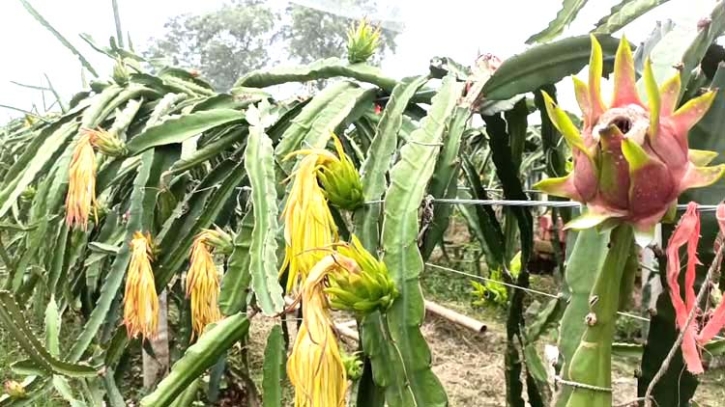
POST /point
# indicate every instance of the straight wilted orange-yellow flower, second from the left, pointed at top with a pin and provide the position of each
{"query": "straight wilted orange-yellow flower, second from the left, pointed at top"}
(141, 304)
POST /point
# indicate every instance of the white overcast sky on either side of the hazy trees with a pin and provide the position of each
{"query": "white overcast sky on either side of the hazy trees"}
(455, 28)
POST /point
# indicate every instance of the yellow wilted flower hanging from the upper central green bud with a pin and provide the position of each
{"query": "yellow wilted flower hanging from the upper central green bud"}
(308, 223)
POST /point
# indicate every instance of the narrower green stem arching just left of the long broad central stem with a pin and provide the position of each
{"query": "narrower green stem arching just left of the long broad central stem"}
(379, 159)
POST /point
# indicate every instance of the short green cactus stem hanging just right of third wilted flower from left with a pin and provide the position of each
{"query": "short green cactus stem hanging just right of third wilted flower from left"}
(233, 296)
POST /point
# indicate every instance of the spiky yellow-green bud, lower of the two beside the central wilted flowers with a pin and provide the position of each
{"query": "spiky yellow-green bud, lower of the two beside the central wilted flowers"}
(364, 285)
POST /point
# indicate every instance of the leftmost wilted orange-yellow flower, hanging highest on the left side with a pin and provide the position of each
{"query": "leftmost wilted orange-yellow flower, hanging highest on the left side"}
(81, 196)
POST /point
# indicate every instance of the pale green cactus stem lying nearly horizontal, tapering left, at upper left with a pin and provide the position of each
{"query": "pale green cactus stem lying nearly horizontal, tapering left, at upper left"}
(180, 128)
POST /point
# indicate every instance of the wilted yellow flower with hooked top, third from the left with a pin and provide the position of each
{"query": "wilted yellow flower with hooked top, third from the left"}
(202, 280)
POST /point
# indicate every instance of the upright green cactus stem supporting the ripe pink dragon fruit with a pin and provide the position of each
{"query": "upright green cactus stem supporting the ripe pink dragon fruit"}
(588, 374)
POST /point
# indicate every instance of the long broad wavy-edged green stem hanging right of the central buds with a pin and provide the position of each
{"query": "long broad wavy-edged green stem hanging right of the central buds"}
(418, 386)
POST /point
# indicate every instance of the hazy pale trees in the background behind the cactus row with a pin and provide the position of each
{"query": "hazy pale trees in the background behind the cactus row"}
(244, 35)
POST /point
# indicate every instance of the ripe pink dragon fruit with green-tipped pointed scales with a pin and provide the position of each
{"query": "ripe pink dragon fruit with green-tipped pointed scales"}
(630, 160)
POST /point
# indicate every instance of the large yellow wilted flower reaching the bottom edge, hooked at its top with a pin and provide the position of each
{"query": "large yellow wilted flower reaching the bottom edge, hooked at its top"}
(315, 366)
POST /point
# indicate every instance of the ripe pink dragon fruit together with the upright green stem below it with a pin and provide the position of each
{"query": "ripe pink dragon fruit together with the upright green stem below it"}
(631, 161)
